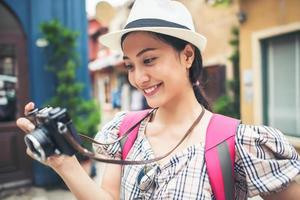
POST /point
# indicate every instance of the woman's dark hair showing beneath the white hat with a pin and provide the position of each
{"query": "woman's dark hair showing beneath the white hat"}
(196, 69)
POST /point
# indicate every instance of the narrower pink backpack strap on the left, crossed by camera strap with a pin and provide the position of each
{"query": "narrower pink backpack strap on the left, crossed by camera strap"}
(129, 120)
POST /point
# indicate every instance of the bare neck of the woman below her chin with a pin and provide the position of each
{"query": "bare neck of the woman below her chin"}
(184, 108)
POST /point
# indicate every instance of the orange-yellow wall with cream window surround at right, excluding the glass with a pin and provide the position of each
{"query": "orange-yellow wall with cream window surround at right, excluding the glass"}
(265, 19)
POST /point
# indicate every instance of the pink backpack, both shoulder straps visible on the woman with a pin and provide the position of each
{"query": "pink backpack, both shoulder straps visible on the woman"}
(219, 150)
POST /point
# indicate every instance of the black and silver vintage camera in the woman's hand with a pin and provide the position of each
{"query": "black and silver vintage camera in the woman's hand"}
(48, 138)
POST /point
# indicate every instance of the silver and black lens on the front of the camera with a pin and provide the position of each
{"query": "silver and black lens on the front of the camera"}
(40, 144)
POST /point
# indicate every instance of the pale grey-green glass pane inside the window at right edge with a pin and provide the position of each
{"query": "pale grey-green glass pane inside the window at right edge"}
(282, 84)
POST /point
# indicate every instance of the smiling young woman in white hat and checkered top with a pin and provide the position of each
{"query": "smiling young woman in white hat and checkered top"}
(162, 53)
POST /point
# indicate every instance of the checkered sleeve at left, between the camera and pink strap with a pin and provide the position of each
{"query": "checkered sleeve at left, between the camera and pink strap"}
(109, 134)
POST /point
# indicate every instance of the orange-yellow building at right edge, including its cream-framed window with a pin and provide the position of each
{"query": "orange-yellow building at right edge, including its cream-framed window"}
(270, 65)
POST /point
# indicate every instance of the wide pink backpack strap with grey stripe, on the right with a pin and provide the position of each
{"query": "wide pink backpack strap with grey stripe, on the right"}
(220, 155)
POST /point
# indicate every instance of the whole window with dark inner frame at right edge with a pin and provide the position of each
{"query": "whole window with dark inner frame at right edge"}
(281, 77)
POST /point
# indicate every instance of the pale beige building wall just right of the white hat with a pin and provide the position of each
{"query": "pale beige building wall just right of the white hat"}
(215, 23)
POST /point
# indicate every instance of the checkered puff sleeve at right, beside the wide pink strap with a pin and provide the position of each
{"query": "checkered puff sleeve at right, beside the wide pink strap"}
(265, 161)
